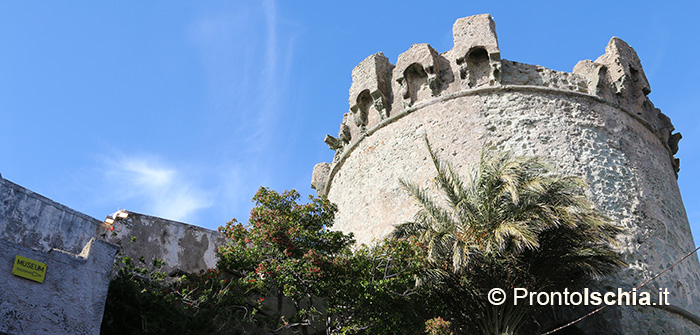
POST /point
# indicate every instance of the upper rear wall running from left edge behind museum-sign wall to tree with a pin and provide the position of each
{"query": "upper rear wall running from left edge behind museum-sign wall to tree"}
(34, 221)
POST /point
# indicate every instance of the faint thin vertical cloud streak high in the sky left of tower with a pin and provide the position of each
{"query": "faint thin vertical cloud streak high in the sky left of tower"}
(247, 58)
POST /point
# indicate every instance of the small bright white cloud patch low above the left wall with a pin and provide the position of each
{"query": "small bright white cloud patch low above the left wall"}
(156, 188)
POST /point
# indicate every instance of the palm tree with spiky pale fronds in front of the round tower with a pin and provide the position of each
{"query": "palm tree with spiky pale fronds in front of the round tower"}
(511, 222)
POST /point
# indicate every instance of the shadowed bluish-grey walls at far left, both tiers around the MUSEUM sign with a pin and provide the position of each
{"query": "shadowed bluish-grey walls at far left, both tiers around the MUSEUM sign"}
(71, 299)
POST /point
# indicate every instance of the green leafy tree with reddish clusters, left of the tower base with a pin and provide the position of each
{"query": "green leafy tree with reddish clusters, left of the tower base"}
(288, 249)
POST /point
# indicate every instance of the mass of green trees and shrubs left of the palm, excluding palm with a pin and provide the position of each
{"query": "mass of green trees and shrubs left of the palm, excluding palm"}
(283, 272)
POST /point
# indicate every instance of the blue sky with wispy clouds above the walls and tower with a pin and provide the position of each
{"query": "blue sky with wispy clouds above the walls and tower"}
(183, 109)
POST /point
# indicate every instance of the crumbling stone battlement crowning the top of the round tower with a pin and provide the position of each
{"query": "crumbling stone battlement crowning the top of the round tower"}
(382, 92)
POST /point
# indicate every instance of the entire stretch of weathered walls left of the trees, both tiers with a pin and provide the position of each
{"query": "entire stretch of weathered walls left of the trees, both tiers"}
(80, 258)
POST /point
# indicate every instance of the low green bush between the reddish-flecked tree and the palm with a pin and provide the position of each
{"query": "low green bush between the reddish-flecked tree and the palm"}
(374, 290)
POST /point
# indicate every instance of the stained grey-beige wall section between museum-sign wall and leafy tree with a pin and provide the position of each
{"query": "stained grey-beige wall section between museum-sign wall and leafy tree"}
(183, 247)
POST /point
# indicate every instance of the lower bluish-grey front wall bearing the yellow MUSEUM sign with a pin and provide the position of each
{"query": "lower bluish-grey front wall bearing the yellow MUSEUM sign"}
(70, 300)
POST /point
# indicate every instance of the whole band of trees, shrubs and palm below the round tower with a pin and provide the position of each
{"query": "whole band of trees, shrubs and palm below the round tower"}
(511, 223)
